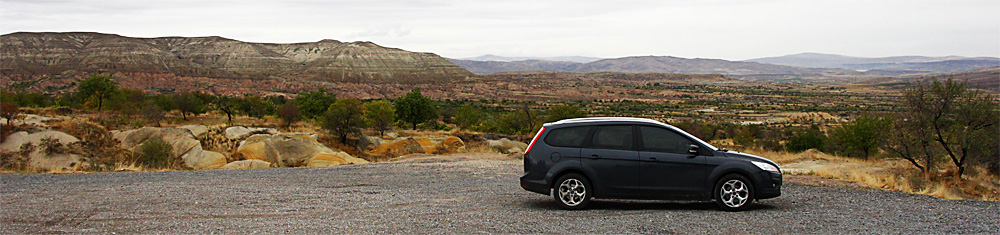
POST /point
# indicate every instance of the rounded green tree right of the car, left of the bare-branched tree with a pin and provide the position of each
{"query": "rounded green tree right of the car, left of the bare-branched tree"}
(863, 137)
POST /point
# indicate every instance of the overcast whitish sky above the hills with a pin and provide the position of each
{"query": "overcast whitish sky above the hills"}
(719, 29)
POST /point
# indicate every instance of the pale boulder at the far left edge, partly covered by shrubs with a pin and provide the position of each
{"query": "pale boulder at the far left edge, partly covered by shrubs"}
(40, 158)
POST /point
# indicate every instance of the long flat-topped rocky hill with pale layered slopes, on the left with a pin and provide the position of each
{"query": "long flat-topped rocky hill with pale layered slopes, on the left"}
(31, 55)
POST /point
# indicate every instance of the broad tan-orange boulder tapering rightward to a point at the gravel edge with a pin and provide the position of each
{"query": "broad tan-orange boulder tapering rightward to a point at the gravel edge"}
(293, 150)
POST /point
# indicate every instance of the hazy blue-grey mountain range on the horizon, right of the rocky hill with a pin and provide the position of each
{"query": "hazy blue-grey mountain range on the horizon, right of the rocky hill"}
(805, 63)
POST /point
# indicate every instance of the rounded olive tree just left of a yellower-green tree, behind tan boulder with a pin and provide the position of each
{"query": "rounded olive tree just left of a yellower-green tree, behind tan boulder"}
(344, 118)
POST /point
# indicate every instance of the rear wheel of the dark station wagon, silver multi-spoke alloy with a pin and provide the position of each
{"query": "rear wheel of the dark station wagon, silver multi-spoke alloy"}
(572, 191)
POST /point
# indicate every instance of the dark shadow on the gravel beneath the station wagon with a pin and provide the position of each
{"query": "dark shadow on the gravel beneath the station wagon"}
(627, 205)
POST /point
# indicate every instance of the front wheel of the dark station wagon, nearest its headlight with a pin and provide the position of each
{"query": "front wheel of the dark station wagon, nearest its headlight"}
(733, 193)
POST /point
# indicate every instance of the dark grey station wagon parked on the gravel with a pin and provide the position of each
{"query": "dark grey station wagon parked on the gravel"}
(577, 160)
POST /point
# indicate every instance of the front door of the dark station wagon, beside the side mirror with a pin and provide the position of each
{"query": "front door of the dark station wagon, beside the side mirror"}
(667, 169)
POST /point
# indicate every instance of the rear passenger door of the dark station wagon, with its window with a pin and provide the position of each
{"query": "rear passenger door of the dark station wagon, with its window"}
(613, 161)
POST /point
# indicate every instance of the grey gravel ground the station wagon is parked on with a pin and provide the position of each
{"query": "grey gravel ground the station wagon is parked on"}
(472, 195)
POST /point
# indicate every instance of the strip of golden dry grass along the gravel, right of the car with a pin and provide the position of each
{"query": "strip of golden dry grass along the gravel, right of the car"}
(890, 174)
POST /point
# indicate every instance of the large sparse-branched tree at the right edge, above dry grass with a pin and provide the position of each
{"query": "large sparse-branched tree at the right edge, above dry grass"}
(958, 121)
